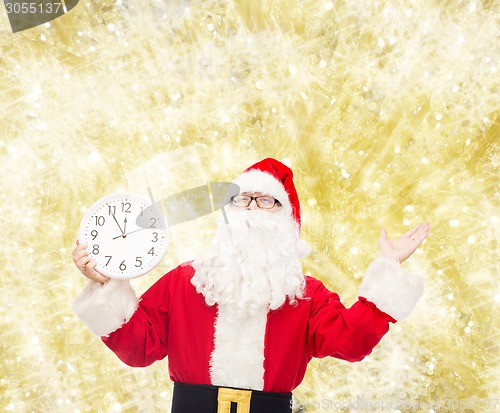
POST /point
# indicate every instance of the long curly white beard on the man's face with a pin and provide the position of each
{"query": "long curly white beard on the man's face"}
(254, 262)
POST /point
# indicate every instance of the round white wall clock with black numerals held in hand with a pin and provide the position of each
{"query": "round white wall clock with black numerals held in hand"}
(126, 235)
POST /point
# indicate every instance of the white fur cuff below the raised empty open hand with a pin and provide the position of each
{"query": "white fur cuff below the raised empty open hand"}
(392, 290)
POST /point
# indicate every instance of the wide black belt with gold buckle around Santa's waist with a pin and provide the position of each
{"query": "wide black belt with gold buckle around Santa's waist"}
(202, 398)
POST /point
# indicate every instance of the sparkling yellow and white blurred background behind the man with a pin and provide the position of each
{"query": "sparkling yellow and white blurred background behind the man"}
(387, 111)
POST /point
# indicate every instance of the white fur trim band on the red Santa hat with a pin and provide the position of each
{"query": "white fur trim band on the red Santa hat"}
(259, 181)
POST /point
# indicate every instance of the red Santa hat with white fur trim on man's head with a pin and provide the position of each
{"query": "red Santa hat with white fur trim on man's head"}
(273, 178)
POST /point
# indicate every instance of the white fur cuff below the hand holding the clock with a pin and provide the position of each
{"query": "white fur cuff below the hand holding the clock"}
(105, 309)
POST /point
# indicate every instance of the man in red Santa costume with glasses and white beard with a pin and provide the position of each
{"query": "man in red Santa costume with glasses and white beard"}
(240, 326)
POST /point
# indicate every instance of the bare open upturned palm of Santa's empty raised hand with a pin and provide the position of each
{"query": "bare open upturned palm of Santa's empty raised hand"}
(401, 248)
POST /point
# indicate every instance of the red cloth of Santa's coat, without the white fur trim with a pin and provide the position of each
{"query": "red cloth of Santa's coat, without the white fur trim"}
(173, 320)
